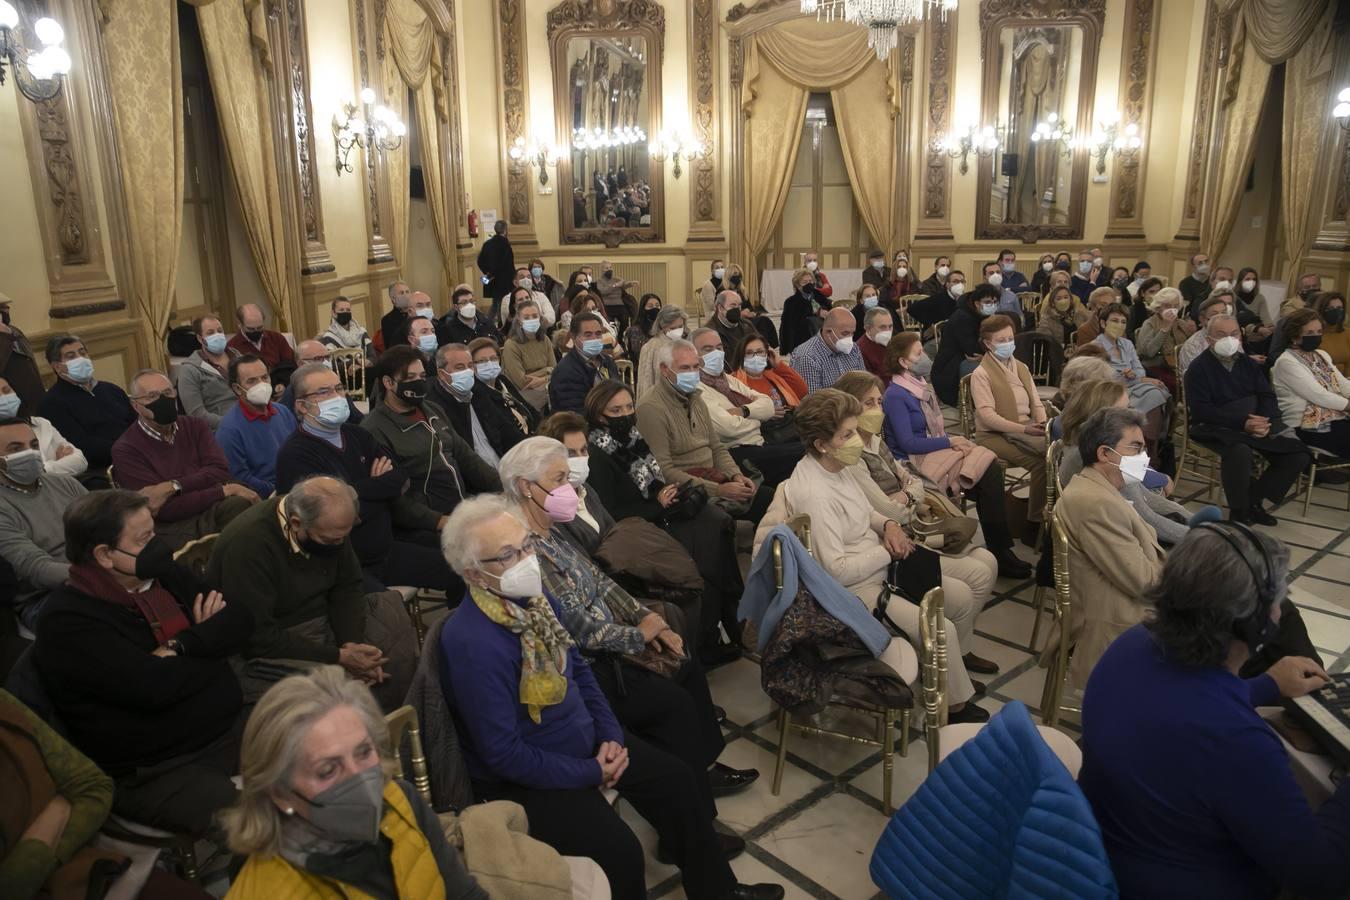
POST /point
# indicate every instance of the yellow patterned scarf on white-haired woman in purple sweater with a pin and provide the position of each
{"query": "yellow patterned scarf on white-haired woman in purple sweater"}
(543, 647)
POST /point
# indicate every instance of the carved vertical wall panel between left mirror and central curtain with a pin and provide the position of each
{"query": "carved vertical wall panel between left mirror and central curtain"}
(705, 214)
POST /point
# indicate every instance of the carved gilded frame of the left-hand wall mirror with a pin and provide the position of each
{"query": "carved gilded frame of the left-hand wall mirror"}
(574, 20)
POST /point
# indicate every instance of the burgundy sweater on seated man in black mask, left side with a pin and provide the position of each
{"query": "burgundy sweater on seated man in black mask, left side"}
(195, 461)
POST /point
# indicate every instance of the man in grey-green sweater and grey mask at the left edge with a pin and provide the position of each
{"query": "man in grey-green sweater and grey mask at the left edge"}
(33, 536)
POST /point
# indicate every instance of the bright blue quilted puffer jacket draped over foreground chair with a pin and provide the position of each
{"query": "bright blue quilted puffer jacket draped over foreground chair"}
(998, 818)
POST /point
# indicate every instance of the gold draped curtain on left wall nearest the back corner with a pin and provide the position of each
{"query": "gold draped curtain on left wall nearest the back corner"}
(415, 57)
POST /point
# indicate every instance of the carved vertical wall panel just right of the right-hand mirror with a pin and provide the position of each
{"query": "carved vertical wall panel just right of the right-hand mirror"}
(1137, 67)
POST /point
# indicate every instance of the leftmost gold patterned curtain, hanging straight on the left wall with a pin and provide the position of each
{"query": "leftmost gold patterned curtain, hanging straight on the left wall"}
(141, 47)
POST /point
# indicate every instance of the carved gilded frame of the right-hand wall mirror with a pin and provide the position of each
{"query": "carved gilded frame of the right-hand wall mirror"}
(996, 16)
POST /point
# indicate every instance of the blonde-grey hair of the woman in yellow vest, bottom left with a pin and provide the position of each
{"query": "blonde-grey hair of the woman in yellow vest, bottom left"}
(272, 743)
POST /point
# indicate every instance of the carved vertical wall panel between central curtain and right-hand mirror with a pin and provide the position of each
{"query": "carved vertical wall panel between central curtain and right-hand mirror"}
(940, 47)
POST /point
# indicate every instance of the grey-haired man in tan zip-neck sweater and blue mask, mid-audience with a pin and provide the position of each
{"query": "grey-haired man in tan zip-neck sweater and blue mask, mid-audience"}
(674, 420)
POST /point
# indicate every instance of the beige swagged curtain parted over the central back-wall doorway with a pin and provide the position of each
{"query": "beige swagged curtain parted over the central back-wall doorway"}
(782, 67)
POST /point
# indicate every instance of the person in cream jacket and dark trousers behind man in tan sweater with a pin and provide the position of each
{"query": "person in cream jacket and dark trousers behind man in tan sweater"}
(739, 414)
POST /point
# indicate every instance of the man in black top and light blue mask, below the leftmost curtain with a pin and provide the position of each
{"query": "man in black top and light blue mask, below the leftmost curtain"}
(92, 415)
